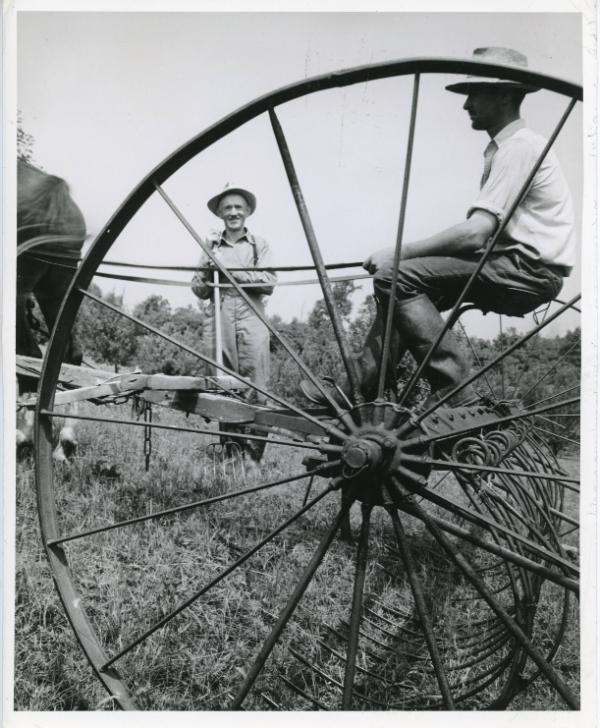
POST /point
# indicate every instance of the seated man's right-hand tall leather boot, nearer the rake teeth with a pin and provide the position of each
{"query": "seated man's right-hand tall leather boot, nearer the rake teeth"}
(419, 324)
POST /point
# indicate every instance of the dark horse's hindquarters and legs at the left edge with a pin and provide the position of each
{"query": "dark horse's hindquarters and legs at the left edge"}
(50, 234)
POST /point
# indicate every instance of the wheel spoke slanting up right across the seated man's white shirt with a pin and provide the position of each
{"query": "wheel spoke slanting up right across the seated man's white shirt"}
(488, 251)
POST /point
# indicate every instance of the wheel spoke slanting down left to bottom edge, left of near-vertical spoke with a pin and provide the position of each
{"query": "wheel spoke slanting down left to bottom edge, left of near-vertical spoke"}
(292, 603)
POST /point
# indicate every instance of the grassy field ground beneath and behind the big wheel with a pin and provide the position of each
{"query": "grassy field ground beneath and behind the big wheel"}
(132, 576)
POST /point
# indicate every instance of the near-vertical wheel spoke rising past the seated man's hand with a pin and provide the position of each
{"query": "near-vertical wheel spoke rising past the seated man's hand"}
(387, 333)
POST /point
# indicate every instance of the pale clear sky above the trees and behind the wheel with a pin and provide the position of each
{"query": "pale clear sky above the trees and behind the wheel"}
(109, 95)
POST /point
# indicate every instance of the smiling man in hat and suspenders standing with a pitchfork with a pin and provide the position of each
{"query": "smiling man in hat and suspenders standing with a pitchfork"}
(245, 339)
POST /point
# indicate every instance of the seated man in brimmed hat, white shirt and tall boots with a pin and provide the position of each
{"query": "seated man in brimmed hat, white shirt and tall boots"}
(533, 254)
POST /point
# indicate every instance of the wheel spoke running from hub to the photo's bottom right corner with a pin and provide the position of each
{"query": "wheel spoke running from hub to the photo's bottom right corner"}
(520, 637)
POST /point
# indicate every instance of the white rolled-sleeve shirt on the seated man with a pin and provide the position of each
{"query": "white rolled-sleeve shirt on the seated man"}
(543, 225)
